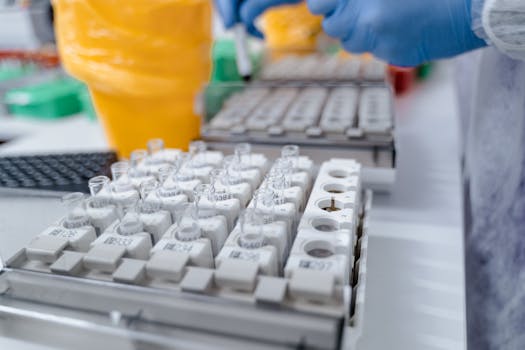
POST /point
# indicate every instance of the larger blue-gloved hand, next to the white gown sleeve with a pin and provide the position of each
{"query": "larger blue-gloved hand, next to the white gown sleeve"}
(402, 32)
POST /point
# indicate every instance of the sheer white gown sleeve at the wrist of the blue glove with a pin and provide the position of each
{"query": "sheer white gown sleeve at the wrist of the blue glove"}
(502, 24)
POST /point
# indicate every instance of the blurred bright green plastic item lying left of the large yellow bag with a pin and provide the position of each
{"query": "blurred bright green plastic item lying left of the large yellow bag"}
(50, 100)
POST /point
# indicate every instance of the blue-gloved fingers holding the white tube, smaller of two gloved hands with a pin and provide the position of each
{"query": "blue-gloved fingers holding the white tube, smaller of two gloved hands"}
(246, 11)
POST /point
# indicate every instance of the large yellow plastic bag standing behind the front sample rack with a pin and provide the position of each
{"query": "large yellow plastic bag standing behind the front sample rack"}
(144, 63)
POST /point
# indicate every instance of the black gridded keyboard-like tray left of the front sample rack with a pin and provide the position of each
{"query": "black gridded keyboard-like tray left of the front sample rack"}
(54, 172)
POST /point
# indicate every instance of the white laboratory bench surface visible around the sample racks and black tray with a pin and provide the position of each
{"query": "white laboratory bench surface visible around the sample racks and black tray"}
(415, 284)
